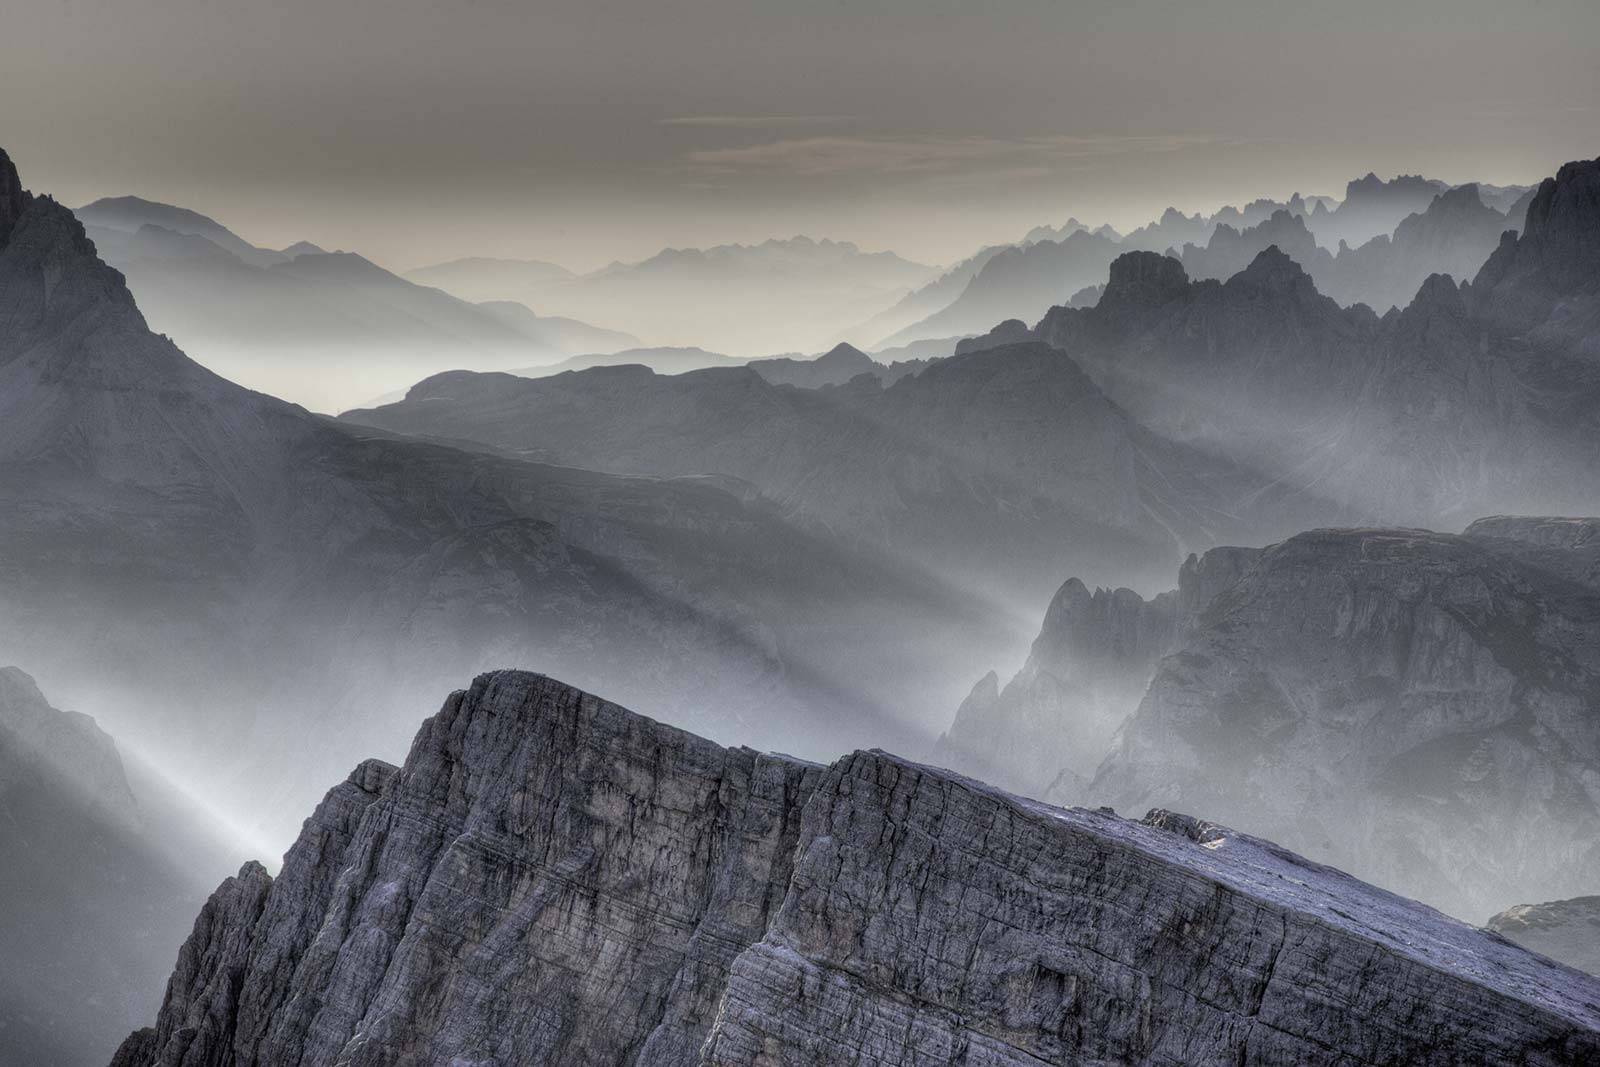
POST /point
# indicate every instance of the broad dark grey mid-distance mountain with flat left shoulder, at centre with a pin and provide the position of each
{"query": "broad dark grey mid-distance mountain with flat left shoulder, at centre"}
(988, 468)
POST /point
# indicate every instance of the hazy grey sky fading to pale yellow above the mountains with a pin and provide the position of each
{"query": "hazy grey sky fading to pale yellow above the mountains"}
(590, 130)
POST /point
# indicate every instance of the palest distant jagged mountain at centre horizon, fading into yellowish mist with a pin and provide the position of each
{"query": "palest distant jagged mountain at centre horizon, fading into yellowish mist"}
(796, 294)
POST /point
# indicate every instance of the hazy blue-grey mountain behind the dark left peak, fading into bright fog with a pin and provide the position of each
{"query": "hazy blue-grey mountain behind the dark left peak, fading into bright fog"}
(322, 329)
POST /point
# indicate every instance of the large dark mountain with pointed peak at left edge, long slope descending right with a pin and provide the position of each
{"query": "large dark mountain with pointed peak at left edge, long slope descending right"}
(270, 593)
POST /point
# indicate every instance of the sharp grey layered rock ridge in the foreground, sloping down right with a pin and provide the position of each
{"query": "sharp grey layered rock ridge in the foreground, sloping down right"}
(556, 881)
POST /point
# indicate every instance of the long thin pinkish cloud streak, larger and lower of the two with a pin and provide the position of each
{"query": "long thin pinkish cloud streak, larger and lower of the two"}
(846, 156)
